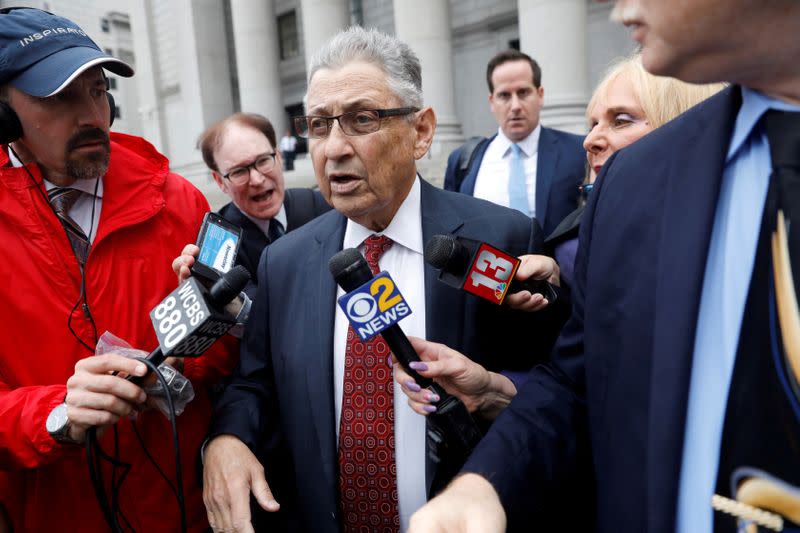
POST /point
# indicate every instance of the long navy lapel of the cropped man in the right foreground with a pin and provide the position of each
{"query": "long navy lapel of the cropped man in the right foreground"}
(690, 199)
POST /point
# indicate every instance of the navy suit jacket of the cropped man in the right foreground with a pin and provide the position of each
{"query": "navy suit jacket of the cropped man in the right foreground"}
(609, 412)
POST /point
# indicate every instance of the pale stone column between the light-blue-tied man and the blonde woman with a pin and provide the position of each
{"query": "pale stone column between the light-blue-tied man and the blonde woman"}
(553, 32)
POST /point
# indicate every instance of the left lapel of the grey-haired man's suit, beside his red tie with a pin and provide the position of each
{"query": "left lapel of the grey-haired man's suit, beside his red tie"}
(319, 368)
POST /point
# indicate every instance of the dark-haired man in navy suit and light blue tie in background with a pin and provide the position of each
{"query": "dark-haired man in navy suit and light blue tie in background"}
(525, 166)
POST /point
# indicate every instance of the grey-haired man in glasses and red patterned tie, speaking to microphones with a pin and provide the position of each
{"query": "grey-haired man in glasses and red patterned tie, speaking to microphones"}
(301, 372)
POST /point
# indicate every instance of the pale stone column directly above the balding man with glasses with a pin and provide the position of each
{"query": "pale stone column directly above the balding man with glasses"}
(255, 35)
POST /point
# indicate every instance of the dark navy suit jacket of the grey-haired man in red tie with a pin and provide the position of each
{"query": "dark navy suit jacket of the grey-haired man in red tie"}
(285, 381)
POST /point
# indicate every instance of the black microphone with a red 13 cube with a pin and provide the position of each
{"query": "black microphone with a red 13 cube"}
(480, 269)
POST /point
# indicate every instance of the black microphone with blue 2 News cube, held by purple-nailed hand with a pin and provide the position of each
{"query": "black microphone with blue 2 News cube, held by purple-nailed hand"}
(451, 432)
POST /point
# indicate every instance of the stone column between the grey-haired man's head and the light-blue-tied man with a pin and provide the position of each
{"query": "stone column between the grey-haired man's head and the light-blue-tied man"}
(425, 26)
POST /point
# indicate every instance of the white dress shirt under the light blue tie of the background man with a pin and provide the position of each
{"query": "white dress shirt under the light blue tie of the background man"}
(491, 182)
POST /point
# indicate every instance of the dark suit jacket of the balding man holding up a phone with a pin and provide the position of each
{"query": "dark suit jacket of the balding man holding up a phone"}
(301, 206)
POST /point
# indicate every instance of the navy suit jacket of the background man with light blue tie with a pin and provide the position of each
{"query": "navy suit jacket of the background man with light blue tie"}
(560, 169)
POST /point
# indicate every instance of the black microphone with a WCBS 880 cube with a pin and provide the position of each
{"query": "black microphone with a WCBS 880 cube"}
(191, 318)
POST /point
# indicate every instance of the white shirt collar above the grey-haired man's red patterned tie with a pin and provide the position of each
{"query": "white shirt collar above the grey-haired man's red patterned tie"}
(405, 228)
